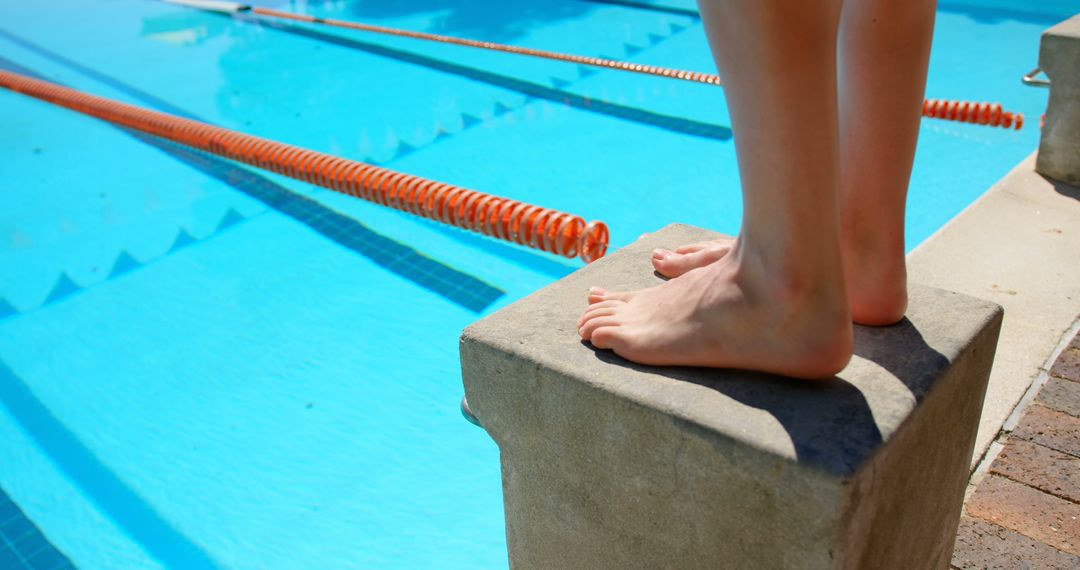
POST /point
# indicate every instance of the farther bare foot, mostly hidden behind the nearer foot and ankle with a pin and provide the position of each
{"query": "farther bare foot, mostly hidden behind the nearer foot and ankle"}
(875, 273)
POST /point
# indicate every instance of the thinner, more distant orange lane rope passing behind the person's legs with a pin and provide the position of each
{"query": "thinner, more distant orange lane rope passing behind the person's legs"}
(983, 114)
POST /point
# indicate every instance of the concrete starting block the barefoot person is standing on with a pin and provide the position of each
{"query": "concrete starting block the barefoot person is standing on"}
(610, 465)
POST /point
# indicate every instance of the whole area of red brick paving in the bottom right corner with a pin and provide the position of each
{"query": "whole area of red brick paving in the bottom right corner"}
(1025, 513)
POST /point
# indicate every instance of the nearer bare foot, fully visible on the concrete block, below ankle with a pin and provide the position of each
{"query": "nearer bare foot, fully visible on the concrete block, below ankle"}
(728, 315)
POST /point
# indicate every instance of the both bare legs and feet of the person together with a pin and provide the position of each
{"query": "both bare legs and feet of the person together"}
(825, 154)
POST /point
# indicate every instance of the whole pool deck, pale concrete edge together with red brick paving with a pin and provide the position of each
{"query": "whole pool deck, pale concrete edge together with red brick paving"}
(1018, 247)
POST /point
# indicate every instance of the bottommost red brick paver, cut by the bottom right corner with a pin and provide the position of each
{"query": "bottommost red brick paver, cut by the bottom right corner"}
(982, 546)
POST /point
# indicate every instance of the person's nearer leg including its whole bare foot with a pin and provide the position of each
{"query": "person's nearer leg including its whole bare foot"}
(777, 303)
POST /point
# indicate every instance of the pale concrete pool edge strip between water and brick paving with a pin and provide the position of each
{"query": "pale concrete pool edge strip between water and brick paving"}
(1017, 247)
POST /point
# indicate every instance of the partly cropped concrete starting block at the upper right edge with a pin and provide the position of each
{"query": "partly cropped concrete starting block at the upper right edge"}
(1060, 146)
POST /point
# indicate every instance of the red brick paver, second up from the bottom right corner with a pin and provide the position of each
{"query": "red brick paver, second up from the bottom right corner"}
(1028, 511)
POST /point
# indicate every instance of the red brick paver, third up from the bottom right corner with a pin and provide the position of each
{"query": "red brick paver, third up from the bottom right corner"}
(1042, 468)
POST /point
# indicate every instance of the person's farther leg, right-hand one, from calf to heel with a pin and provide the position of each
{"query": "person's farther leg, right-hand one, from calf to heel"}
(885, 48)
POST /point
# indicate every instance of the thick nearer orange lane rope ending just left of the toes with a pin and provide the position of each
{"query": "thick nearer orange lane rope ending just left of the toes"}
(523, 224)
